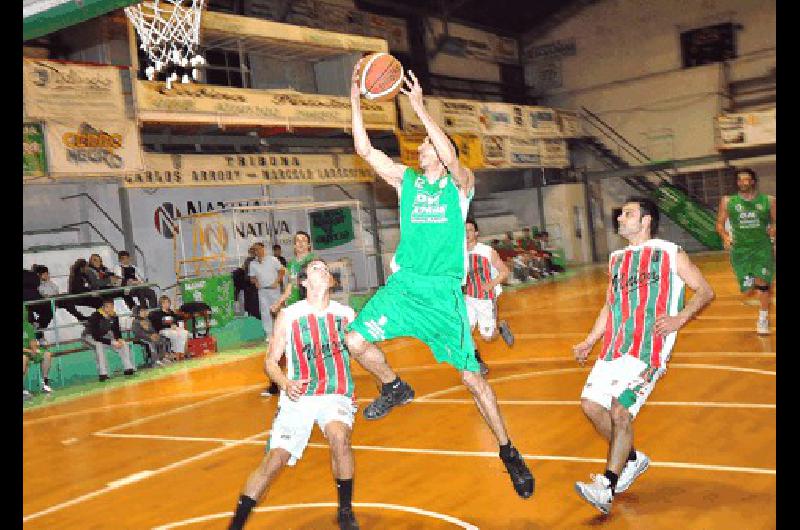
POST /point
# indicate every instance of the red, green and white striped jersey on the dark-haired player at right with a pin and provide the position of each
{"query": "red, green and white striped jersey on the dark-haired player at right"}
(643, 285)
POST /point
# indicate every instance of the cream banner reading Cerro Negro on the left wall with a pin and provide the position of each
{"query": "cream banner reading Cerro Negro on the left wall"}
(93, 146)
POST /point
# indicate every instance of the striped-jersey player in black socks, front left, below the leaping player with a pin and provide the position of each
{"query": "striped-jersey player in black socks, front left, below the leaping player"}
(317, 388)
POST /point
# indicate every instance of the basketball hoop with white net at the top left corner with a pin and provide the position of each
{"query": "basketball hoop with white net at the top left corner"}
(169, 31)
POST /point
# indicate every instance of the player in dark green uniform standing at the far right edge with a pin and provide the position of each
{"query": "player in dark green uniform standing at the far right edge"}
(752, 219)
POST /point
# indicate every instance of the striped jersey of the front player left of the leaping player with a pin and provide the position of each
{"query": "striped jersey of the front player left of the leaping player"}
(315, 347)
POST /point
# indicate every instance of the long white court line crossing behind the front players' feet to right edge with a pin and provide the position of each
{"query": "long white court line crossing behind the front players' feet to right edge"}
(446, 452)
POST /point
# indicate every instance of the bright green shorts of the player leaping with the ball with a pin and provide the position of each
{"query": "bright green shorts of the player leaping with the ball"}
(429, 308)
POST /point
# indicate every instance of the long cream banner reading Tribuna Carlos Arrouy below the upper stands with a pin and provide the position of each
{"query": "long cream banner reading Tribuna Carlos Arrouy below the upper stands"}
(241, 170)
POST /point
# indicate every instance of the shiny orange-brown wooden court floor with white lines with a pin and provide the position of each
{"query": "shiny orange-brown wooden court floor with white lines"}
(174, 453)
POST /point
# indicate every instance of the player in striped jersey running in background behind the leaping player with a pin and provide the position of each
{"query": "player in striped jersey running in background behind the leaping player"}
(485, 273)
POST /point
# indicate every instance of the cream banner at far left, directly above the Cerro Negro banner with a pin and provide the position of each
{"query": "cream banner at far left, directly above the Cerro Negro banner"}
(53, 90)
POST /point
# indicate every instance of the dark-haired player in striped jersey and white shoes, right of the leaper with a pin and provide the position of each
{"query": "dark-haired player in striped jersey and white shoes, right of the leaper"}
(638, 324)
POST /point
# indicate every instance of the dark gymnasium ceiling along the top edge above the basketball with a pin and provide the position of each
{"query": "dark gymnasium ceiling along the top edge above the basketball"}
(505, 17)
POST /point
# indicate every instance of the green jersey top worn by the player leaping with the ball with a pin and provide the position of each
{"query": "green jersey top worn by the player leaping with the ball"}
(432, 233)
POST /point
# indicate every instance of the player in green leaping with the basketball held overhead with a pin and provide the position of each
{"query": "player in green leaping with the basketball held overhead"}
(423, 296)
